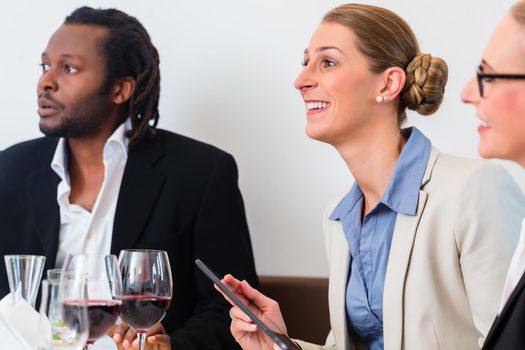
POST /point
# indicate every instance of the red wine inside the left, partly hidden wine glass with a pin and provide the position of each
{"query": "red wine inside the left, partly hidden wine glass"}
(102, 315)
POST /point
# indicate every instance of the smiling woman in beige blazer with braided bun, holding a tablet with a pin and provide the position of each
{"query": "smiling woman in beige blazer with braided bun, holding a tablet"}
(419, 246)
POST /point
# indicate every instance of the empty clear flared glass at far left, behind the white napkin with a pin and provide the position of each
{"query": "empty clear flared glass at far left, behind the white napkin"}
(25, 272)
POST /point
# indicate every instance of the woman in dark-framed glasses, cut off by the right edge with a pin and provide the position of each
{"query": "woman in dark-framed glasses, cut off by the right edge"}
(498, 93)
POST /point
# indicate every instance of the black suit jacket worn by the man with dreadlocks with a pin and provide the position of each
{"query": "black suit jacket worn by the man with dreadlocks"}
(177, 194)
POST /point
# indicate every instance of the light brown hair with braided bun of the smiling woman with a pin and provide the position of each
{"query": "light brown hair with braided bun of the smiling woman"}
(387, 41)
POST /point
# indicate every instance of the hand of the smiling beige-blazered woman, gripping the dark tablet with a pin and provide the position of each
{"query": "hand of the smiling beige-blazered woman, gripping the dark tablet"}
(245, 332)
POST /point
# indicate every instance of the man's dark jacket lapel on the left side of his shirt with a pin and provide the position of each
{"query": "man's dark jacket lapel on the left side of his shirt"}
(43, 206)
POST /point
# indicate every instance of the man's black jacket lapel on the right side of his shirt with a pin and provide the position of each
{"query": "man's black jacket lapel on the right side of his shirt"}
(140, 188)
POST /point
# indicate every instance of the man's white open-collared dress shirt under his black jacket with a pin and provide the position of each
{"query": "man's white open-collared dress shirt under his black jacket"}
(82, 231)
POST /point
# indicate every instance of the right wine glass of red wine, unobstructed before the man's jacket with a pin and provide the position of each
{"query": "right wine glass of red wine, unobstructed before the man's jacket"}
(147, 289)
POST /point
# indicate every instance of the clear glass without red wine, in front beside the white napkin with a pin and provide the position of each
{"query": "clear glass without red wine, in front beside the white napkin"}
(67, 316)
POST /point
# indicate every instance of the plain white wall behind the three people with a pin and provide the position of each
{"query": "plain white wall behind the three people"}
(227, 73)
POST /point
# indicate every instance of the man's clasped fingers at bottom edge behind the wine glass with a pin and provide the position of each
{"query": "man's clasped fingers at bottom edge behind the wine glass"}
(126, 337)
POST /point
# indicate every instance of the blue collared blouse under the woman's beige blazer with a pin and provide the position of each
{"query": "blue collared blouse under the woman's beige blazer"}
(369, 240)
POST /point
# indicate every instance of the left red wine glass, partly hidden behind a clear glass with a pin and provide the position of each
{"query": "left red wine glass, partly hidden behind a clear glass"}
(103, 308)
